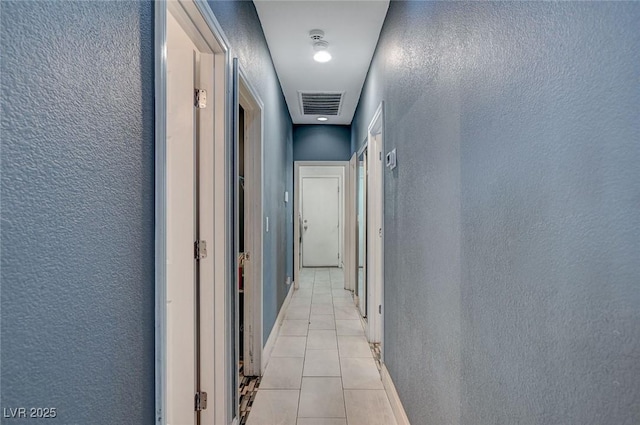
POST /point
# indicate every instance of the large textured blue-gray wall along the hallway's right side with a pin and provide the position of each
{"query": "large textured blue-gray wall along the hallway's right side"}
(512, 224)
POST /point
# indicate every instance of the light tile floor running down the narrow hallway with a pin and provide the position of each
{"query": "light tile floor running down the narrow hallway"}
(322, 370)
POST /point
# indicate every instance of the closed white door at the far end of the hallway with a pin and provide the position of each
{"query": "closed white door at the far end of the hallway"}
(321, 221)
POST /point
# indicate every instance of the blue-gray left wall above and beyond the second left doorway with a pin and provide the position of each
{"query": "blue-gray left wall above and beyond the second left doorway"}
(239, 21)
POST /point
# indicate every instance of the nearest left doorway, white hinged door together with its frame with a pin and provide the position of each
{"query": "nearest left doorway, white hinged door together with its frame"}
(192, 309)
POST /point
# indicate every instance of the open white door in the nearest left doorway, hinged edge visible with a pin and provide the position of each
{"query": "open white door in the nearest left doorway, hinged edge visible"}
(181, 227)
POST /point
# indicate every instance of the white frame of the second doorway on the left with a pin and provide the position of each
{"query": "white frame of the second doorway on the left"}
(253, 107)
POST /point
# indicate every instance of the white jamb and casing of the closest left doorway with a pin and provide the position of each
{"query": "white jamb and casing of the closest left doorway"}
(202, 21)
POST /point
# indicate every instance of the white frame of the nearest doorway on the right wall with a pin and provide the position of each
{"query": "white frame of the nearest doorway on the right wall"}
(375, 228)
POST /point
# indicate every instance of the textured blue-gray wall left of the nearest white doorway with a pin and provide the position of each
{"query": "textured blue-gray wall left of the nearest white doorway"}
(77, 240)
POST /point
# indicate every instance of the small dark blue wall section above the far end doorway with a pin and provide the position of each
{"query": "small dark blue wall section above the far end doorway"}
(321, 143)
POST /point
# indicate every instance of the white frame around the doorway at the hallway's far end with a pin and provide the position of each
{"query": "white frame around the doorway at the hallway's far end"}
(296, 210)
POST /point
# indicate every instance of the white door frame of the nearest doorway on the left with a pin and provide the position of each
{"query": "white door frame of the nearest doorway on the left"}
(215, 301)
